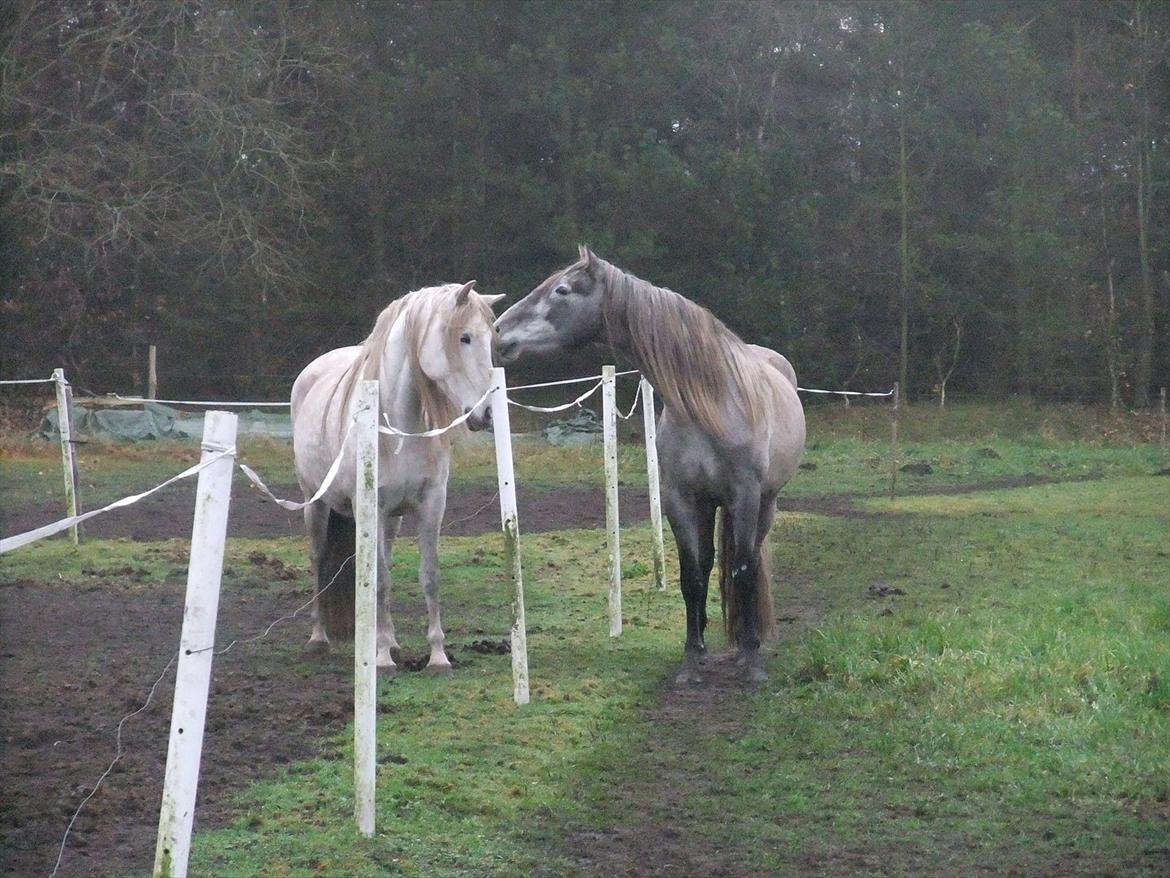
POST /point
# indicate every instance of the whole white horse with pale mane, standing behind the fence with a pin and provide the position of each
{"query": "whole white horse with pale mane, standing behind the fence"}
(431, 353)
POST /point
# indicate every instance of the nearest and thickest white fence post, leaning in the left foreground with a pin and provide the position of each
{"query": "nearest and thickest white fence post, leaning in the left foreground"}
(197, 643)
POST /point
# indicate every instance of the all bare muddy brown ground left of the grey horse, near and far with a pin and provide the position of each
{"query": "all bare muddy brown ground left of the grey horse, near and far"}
(74, 661)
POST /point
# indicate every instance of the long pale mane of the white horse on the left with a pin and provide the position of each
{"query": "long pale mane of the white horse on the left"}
(419, 311)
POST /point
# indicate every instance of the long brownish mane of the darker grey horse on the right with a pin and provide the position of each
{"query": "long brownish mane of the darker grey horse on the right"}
(691, 358)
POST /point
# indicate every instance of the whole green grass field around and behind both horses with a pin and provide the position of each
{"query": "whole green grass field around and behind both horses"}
(972, 680)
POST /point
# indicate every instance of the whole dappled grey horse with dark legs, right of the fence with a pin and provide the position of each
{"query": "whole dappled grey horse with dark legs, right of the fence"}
(732, 434)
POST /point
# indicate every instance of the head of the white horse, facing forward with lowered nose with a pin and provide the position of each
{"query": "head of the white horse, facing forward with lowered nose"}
(455, 352)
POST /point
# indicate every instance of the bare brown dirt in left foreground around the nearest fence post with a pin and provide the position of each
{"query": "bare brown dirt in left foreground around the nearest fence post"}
(74, 662)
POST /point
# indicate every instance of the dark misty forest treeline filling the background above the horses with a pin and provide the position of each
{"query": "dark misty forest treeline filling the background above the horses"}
(971, 196)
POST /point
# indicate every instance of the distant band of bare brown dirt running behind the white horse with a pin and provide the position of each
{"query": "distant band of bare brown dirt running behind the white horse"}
(470, 512)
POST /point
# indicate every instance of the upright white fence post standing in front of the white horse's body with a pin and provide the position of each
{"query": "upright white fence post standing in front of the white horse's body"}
(366, 609)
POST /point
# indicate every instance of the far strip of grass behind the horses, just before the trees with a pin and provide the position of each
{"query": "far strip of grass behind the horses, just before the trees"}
(848, 455)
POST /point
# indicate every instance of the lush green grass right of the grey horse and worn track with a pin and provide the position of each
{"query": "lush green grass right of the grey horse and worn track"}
(1011, 712)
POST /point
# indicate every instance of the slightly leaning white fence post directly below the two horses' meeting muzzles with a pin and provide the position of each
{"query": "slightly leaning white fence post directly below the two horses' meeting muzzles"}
(506, 478)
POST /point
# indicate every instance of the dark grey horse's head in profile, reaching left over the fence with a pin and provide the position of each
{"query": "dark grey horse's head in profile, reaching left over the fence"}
(563, 313)
